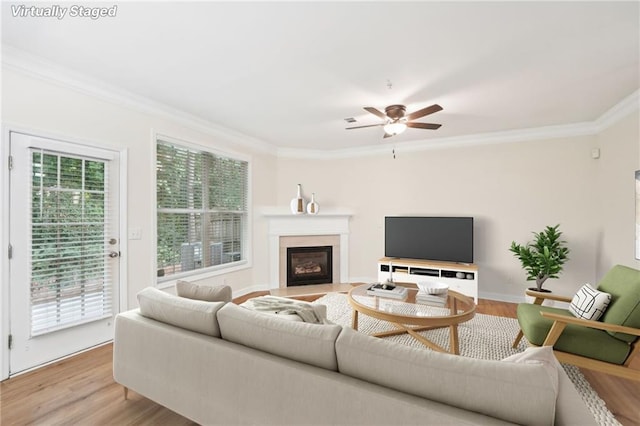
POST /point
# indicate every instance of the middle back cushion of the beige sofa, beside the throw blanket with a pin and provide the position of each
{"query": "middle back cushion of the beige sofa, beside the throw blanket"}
(312, 344)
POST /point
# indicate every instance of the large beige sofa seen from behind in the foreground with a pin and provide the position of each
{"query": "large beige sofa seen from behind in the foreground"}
(220, 363)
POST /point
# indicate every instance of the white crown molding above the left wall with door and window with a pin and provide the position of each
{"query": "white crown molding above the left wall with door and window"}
(36, 67)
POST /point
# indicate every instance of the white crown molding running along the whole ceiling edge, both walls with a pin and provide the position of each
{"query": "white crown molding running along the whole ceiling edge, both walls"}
(24, 63)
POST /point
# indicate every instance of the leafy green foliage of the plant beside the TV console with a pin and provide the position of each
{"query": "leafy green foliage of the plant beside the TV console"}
(543, 257)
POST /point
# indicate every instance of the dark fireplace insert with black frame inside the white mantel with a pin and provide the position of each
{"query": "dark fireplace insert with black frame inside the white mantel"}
(309, 265)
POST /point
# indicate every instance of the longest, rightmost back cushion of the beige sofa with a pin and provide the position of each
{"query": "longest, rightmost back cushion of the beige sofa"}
(522, 393)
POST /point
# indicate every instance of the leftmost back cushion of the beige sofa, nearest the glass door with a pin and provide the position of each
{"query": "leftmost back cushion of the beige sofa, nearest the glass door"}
(194, 315)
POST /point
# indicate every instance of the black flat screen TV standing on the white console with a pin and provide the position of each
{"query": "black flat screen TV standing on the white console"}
(448, 239)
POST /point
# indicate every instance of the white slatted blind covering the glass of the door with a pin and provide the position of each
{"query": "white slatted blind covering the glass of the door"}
(70, 281)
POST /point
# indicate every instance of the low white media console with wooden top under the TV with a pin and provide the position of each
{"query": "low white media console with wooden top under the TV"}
(462, 278)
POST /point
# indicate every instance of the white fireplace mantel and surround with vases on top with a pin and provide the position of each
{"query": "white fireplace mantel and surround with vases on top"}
(281, 222)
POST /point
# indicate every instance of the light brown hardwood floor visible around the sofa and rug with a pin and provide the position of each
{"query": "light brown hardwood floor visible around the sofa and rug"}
(80, 390)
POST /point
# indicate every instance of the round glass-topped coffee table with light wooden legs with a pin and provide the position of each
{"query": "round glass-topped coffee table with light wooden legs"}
(411, 317)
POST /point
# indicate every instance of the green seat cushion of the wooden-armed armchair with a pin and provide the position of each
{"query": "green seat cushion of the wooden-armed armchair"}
(584, 341)
